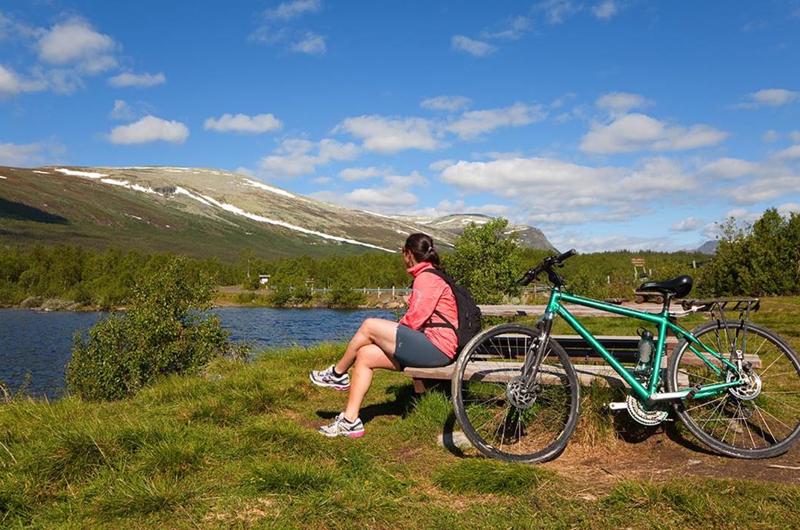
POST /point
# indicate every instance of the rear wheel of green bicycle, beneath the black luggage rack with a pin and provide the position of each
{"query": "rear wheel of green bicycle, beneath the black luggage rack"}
(758, 419)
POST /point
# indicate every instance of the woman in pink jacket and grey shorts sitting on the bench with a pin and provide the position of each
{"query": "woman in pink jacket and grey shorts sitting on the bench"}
(422, 338)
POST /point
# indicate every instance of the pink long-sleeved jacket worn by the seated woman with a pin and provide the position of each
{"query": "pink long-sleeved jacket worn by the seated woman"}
(430, 292)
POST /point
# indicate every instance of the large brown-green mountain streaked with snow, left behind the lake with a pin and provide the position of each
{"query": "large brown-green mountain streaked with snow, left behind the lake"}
(199, 212)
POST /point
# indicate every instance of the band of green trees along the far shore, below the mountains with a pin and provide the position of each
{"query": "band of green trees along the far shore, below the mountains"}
(758, 259)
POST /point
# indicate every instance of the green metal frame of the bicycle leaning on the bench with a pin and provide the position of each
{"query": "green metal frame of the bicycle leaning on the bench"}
(664, 322)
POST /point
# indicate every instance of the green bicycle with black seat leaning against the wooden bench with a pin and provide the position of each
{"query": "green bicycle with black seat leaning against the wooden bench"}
(733, 384)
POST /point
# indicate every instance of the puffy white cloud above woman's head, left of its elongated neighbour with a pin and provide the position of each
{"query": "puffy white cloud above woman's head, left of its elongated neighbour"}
(390, 135)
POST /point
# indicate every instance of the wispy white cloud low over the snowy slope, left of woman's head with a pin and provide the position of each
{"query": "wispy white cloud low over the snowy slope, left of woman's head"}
(295, 157)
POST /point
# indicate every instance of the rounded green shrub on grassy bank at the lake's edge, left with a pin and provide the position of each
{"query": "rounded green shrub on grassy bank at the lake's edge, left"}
(165, 331)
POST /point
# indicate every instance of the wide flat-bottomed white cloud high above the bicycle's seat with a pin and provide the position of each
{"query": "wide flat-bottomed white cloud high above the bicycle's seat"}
(638, 132)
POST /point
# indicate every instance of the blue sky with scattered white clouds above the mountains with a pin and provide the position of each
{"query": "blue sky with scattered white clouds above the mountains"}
(609, 124)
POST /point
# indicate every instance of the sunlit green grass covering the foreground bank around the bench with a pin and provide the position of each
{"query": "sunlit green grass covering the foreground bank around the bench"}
(237, 447)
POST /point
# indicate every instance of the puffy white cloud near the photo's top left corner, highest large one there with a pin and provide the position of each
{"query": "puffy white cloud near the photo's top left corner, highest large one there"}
(75, 42)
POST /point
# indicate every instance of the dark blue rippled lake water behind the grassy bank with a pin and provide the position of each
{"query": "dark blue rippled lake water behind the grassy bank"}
(39, 344)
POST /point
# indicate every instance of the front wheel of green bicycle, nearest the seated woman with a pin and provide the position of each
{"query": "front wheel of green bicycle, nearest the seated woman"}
(502, 414)
